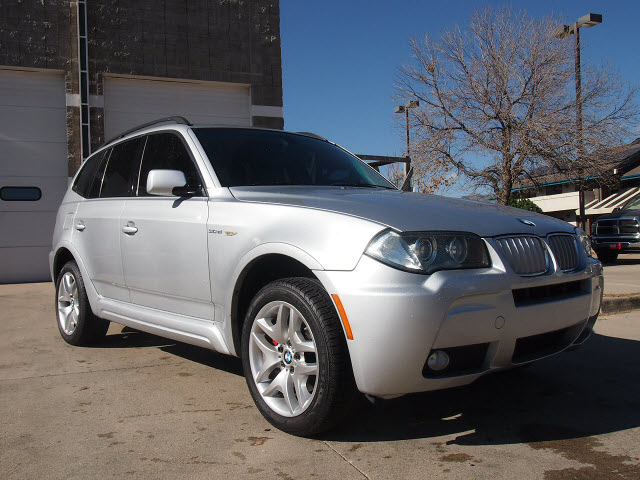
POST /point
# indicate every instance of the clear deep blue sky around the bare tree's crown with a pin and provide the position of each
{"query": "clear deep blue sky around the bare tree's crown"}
(339, 58)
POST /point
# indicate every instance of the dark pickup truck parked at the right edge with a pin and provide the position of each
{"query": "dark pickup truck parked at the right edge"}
(617, 232)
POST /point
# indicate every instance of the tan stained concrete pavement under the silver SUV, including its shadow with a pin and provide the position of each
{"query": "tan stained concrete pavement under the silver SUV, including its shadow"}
(138, 406)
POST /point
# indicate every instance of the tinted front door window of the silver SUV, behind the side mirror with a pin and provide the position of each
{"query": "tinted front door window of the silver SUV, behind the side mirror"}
(166, 151)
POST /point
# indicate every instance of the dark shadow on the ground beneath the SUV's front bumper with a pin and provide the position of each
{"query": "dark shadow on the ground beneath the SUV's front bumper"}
(587, 392)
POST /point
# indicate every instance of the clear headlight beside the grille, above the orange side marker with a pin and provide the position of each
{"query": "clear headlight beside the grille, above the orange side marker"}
(428, 252)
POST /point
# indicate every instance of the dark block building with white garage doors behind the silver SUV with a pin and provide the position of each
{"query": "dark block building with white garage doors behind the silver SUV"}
(75, 73)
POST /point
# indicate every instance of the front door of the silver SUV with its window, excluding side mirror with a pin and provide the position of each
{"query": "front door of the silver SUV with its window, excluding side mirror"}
(165, 255)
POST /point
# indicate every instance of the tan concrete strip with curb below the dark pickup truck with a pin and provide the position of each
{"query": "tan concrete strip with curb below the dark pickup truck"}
(622, 285)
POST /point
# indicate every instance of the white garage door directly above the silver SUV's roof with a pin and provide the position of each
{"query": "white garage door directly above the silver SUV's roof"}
(129, 102)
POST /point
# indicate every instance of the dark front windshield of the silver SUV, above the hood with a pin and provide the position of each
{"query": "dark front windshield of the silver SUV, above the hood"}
(262, 157)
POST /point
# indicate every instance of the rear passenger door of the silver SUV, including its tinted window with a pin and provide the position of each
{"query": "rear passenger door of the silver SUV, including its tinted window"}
(97, 228)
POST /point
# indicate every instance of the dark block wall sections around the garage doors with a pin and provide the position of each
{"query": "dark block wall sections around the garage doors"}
(212, 40)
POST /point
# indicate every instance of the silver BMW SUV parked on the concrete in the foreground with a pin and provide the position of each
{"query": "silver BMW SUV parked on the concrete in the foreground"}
(286, 250)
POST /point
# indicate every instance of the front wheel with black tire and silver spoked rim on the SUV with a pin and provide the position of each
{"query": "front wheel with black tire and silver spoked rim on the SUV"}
(301, 383)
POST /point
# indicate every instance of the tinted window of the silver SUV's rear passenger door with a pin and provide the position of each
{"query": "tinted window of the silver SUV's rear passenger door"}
(122, 168)
